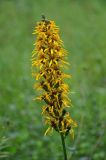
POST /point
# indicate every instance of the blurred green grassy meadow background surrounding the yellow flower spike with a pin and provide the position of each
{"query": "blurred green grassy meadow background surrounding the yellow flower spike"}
(83, 29)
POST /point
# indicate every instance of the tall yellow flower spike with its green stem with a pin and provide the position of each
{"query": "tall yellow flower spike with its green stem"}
(49, 60)
